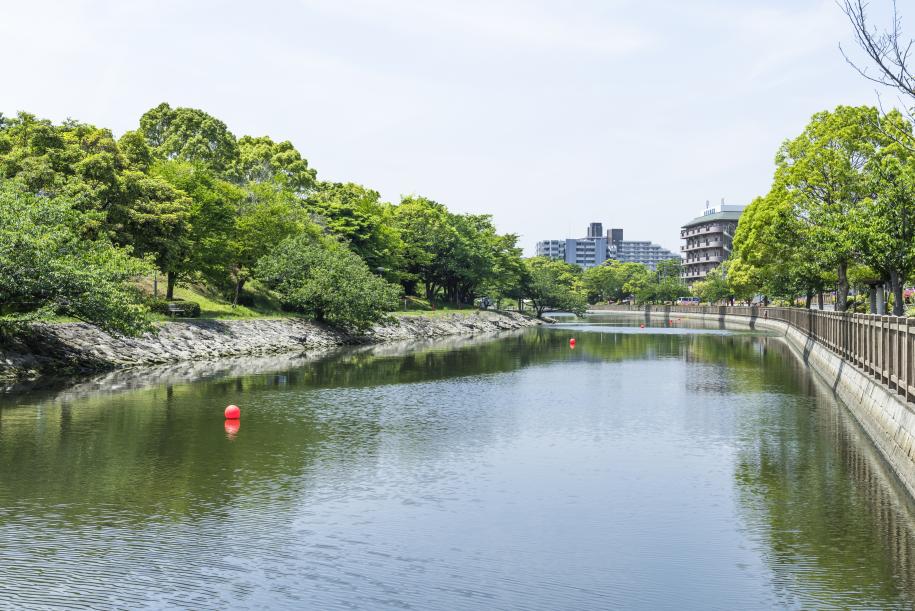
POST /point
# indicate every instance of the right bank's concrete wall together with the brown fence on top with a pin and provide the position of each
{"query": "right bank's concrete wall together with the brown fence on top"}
(866, 359)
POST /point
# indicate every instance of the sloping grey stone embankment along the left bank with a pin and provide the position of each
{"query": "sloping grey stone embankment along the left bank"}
(81, 348)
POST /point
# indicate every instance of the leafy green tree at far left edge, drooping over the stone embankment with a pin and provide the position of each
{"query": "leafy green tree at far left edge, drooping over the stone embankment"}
(47, 266)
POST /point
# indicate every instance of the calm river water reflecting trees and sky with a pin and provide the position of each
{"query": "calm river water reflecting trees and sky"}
(670, 467)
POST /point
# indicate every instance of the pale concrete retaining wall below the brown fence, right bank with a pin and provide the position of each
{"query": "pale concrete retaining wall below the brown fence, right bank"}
(887, 419)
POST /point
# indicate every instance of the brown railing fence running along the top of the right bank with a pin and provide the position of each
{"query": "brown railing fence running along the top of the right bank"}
(883, 347)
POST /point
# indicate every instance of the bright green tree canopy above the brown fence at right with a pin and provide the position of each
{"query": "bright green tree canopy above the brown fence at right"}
(842, 199)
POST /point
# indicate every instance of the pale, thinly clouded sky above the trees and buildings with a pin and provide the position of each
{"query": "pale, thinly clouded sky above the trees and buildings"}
(547, 115)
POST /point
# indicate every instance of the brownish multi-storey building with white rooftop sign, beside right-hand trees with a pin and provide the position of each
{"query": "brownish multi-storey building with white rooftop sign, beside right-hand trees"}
(708, 240)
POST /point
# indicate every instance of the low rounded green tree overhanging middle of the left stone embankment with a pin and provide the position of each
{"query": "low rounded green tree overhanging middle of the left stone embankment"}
(324, 279)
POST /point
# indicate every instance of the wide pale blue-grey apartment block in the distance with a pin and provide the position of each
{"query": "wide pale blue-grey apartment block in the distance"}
(595, 248)
